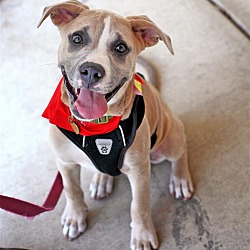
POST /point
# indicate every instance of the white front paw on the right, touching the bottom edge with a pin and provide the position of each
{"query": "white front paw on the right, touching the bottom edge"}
(143, 238)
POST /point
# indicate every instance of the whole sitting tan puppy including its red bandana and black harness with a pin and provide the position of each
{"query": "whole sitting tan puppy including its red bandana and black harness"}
(100, 91)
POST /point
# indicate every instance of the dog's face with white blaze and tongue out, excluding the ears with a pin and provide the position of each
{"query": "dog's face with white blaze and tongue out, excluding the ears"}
(98, 59)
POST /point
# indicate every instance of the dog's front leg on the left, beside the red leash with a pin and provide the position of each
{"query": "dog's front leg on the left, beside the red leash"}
(75, 213)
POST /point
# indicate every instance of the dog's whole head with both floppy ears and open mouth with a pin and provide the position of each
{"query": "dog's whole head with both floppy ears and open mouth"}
(98, 53)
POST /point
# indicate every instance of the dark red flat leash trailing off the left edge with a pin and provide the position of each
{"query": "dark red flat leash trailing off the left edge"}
(30, 210)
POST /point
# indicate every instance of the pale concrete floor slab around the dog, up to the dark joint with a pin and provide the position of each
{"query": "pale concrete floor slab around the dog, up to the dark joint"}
(206, 83)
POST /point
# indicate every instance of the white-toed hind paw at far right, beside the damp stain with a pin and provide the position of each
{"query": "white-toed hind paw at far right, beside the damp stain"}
(181, 187)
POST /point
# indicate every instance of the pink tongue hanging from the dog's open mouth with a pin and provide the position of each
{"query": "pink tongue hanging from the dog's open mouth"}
(91, 105)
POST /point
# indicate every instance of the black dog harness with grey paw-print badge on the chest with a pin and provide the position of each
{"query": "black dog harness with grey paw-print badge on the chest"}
(107, 151)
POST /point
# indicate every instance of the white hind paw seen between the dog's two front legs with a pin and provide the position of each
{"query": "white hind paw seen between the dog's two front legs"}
(101, 186)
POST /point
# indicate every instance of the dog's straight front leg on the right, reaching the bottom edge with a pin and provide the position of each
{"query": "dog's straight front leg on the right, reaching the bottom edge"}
(143, 234)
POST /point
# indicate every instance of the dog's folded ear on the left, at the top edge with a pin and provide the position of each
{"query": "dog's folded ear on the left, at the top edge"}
(63, 12)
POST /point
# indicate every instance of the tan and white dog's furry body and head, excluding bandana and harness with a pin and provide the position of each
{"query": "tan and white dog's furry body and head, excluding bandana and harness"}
(98, 54)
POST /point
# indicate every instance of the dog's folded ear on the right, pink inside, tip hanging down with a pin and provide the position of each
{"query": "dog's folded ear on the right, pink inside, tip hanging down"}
(148, 33)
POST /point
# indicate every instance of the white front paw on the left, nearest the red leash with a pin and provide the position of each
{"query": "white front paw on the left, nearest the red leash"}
(73, 220)
